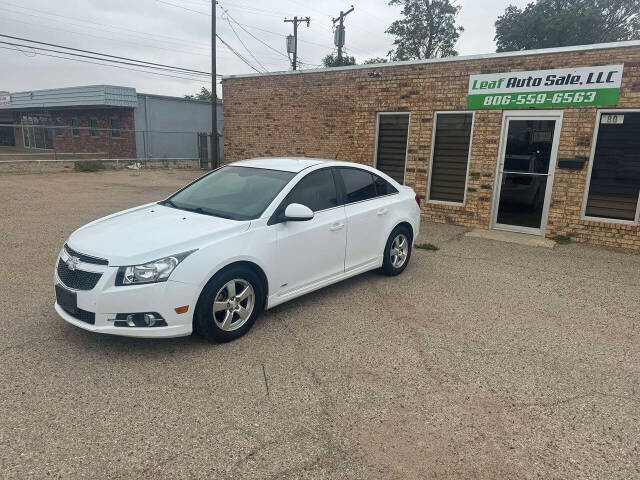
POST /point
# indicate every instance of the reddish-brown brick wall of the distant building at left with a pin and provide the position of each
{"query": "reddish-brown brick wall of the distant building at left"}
(103, 145)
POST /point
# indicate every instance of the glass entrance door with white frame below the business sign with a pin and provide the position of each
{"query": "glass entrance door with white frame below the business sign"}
(525, 172)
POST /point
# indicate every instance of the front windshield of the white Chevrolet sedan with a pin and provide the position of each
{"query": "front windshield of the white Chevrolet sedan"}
(237, 193)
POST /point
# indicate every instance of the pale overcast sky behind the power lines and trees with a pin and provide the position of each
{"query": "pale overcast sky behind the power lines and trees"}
(177, 32)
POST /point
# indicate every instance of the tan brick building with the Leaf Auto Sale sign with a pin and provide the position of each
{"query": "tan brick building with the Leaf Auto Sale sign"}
(544, 142)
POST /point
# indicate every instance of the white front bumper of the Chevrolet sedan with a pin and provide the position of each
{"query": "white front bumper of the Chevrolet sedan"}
(106, 300)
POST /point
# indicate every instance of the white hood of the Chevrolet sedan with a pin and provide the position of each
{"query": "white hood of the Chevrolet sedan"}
(149, 232)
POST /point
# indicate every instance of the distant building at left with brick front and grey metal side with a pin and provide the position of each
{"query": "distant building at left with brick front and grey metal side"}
(102, 121)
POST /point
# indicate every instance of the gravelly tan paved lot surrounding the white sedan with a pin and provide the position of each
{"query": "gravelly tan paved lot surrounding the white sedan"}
(483, 360)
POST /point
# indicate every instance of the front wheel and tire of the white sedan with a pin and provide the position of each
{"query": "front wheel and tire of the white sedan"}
(229, 305)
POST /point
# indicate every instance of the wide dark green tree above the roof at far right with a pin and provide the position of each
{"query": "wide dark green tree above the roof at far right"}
(558, 23)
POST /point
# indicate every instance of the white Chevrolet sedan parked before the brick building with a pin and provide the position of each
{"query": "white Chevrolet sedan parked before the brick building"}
(243, 238)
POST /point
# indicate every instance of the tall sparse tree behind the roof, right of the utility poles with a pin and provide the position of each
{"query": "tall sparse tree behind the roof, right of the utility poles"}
(427, 30)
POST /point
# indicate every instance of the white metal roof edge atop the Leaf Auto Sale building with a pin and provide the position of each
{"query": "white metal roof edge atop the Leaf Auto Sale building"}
(518, 53)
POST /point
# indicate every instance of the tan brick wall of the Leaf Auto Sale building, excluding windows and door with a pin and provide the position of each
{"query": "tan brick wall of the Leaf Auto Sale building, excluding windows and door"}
(324, 114)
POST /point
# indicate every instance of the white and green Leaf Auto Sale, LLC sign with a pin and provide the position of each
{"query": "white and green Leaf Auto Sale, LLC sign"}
(562, 87)
